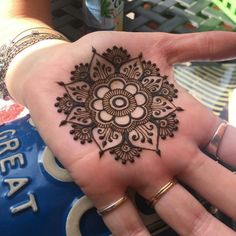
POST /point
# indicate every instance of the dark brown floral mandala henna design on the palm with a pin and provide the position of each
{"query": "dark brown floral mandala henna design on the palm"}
(122, 104)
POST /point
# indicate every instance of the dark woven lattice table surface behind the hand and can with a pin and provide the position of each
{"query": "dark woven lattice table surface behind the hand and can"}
(175, 16)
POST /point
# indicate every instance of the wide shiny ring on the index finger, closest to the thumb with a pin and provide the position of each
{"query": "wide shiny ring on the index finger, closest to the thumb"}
(213, 146)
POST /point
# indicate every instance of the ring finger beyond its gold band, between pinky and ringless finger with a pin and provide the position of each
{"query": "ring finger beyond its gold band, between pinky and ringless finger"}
(187, 216)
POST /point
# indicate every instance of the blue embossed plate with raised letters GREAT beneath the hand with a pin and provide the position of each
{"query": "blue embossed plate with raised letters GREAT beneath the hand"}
(38, 196)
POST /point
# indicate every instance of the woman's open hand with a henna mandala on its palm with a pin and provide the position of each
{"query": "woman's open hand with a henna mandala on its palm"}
(174, 128)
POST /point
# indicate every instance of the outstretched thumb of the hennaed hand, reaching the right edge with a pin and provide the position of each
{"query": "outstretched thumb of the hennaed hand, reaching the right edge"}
(215, 45)
